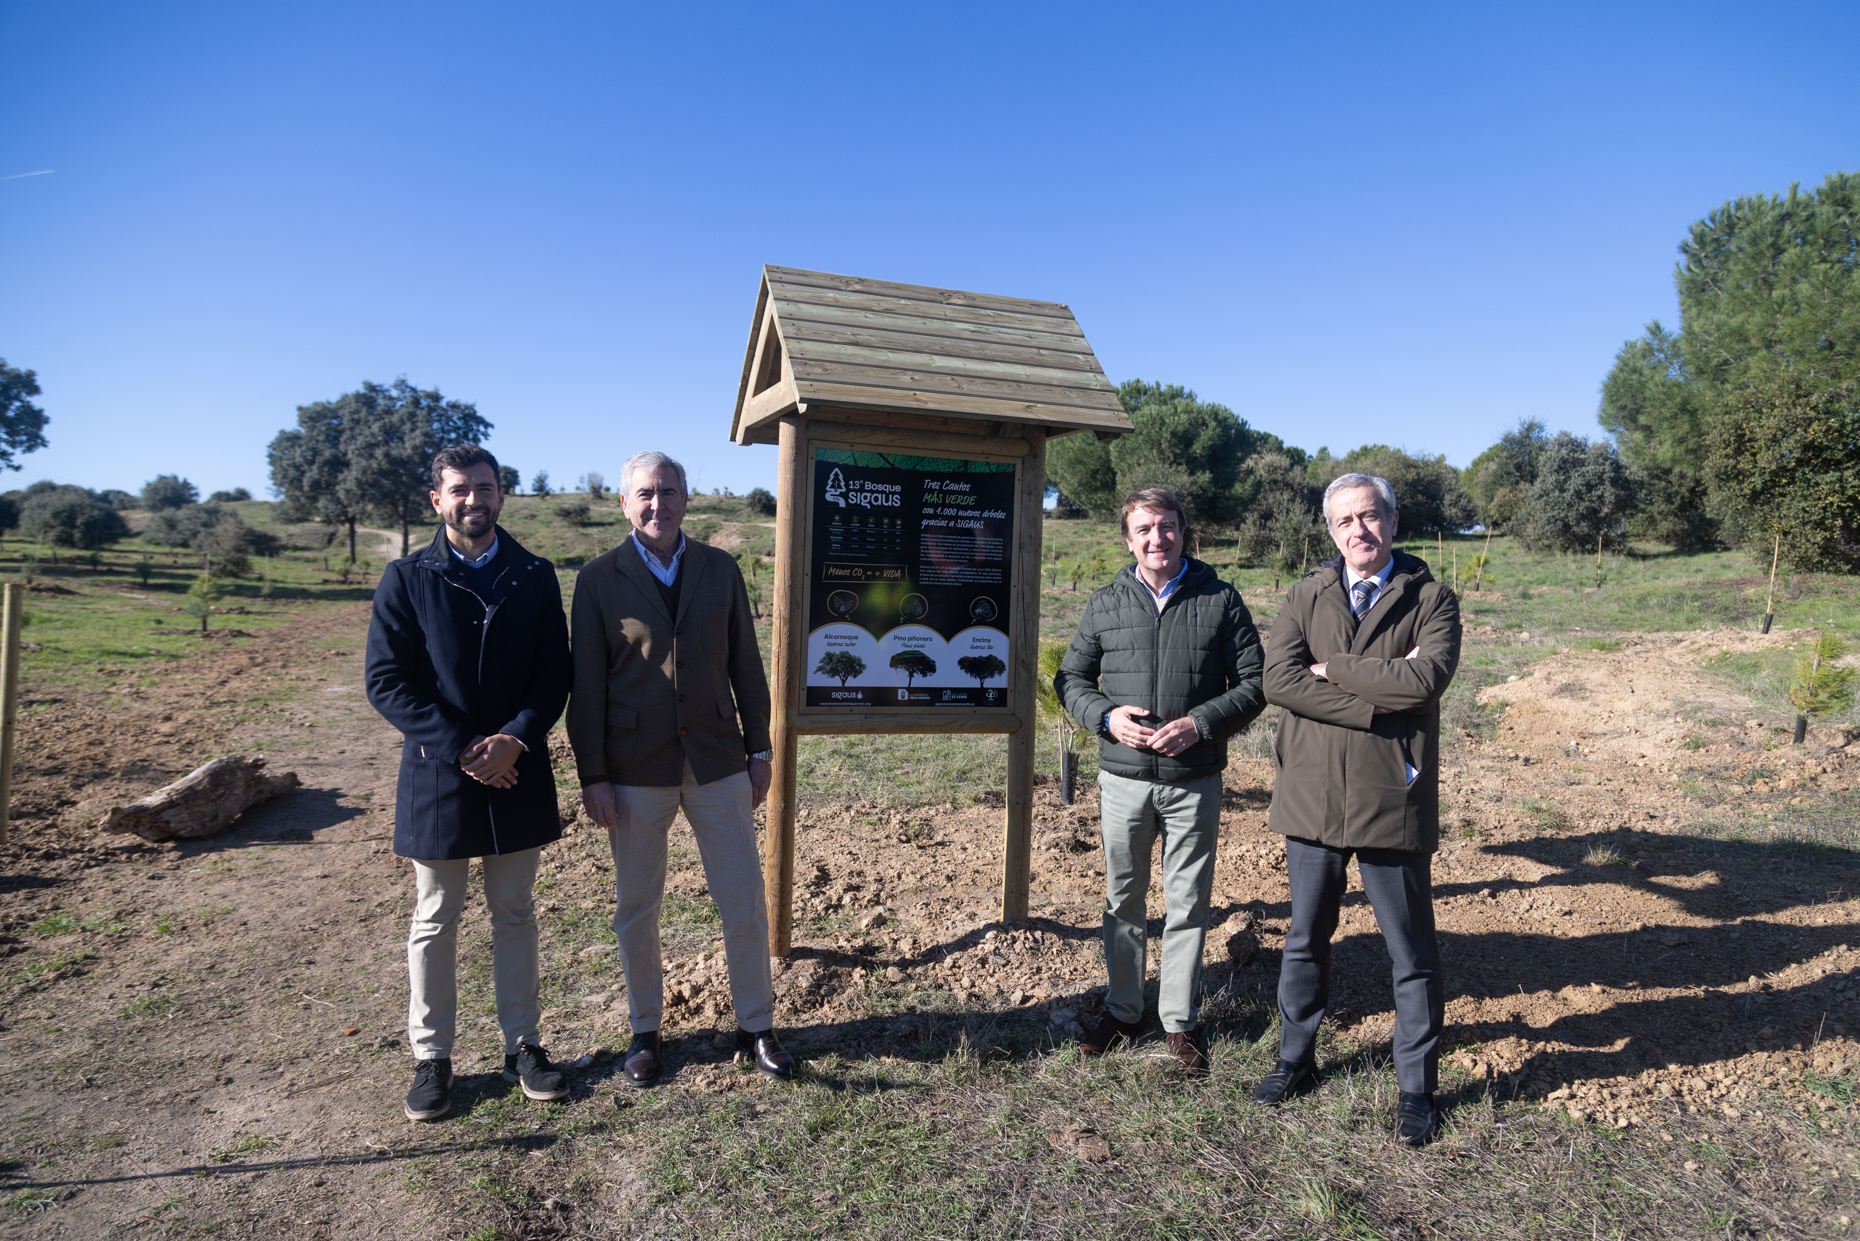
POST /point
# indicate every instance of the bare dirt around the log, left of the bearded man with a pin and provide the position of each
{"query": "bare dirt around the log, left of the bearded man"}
(191, 1022)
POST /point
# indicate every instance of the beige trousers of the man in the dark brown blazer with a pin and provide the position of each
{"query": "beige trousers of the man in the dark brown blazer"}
(723, 818)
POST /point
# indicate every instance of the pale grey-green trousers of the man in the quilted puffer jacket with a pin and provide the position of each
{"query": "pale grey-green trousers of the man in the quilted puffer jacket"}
(1188, 818)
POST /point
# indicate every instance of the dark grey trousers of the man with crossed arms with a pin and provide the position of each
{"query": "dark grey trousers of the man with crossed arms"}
(1402, 890)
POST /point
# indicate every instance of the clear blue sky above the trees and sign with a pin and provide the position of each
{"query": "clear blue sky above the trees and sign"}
(1402, 224)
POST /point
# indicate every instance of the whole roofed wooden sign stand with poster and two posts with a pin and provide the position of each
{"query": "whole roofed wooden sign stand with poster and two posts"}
(912, 429)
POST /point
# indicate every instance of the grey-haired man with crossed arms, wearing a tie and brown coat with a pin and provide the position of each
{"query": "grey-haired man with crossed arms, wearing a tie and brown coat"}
(1359, 660)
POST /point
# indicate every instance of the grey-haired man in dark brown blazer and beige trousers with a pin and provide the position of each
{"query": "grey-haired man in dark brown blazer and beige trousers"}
(671, 712)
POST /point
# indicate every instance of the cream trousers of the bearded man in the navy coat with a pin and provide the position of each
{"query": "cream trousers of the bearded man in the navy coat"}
(434, 957)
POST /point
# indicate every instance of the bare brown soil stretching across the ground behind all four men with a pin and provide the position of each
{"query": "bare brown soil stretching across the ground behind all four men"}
(213, 1034)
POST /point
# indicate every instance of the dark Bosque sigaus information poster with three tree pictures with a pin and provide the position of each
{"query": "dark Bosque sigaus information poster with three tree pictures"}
(910, 587)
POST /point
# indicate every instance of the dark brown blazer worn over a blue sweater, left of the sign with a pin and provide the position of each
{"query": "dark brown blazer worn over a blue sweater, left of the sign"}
(658, 691)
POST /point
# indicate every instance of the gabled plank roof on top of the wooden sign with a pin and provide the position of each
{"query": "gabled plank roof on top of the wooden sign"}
(849, 343)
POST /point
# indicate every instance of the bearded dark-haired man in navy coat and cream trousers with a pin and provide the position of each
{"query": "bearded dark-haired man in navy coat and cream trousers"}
(470, 660)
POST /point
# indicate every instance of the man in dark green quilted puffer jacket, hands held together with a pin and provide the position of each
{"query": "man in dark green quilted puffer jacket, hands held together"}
(1165, 669)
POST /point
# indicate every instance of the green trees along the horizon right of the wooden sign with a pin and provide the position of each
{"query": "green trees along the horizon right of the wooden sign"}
(1733, 433)
